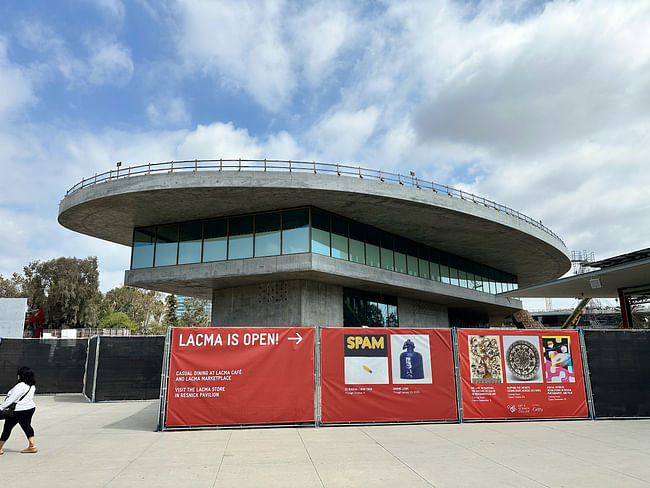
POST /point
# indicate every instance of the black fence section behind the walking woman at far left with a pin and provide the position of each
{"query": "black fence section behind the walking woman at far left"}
(58, 363)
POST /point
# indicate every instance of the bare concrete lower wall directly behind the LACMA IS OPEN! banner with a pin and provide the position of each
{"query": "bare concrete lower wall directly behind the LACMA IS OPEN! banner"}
(279, 303)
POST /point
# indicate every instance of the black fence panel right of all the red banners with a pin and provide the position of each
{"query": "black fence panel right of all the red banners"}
(619, 367)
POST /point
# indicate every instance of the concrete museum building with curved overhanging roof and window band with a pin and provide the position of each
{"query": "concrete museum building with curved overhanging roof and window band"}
(276, 243)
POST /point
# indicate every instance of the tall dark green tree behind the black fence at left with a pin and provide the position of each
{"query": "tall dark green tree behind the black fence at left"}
(66, 289)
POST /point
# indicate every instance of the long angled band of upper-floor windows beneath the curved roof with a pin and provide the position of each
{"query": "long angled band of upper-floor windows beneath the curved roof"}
(289, 231)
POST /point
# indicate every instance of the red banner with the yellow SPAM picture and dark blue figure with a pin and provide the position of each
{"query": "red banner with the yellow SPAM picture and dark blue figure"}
(387, 375)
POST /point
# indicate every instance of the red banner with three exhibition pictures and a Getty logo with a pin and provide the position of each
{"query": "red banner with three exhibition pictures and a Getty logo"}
(508, 374)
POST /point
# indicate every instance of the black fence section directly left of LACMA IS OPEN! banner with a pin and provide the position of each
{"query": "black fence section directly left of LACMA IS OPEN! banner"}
(124, 368)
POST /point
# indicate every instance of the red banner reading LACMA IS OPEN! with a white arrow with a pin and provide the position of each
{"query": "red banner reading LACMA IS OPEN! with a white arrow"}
(236, 376)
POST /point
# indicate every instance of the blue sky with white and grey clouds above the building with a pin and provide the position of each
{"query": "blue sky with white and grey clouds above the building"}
(544, 107)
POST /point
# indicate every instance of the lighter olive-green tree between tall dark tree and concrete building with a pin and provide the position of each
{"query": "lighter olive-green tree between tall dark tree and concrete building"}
(142, 307)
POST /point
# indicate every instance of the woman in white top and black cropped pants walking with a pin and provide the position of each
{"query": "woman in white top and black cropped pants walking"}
(23, 393)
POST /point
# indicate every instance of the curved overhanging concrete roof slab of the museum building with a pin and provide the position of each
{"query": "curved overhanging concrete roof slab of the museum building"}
(111, 209)
